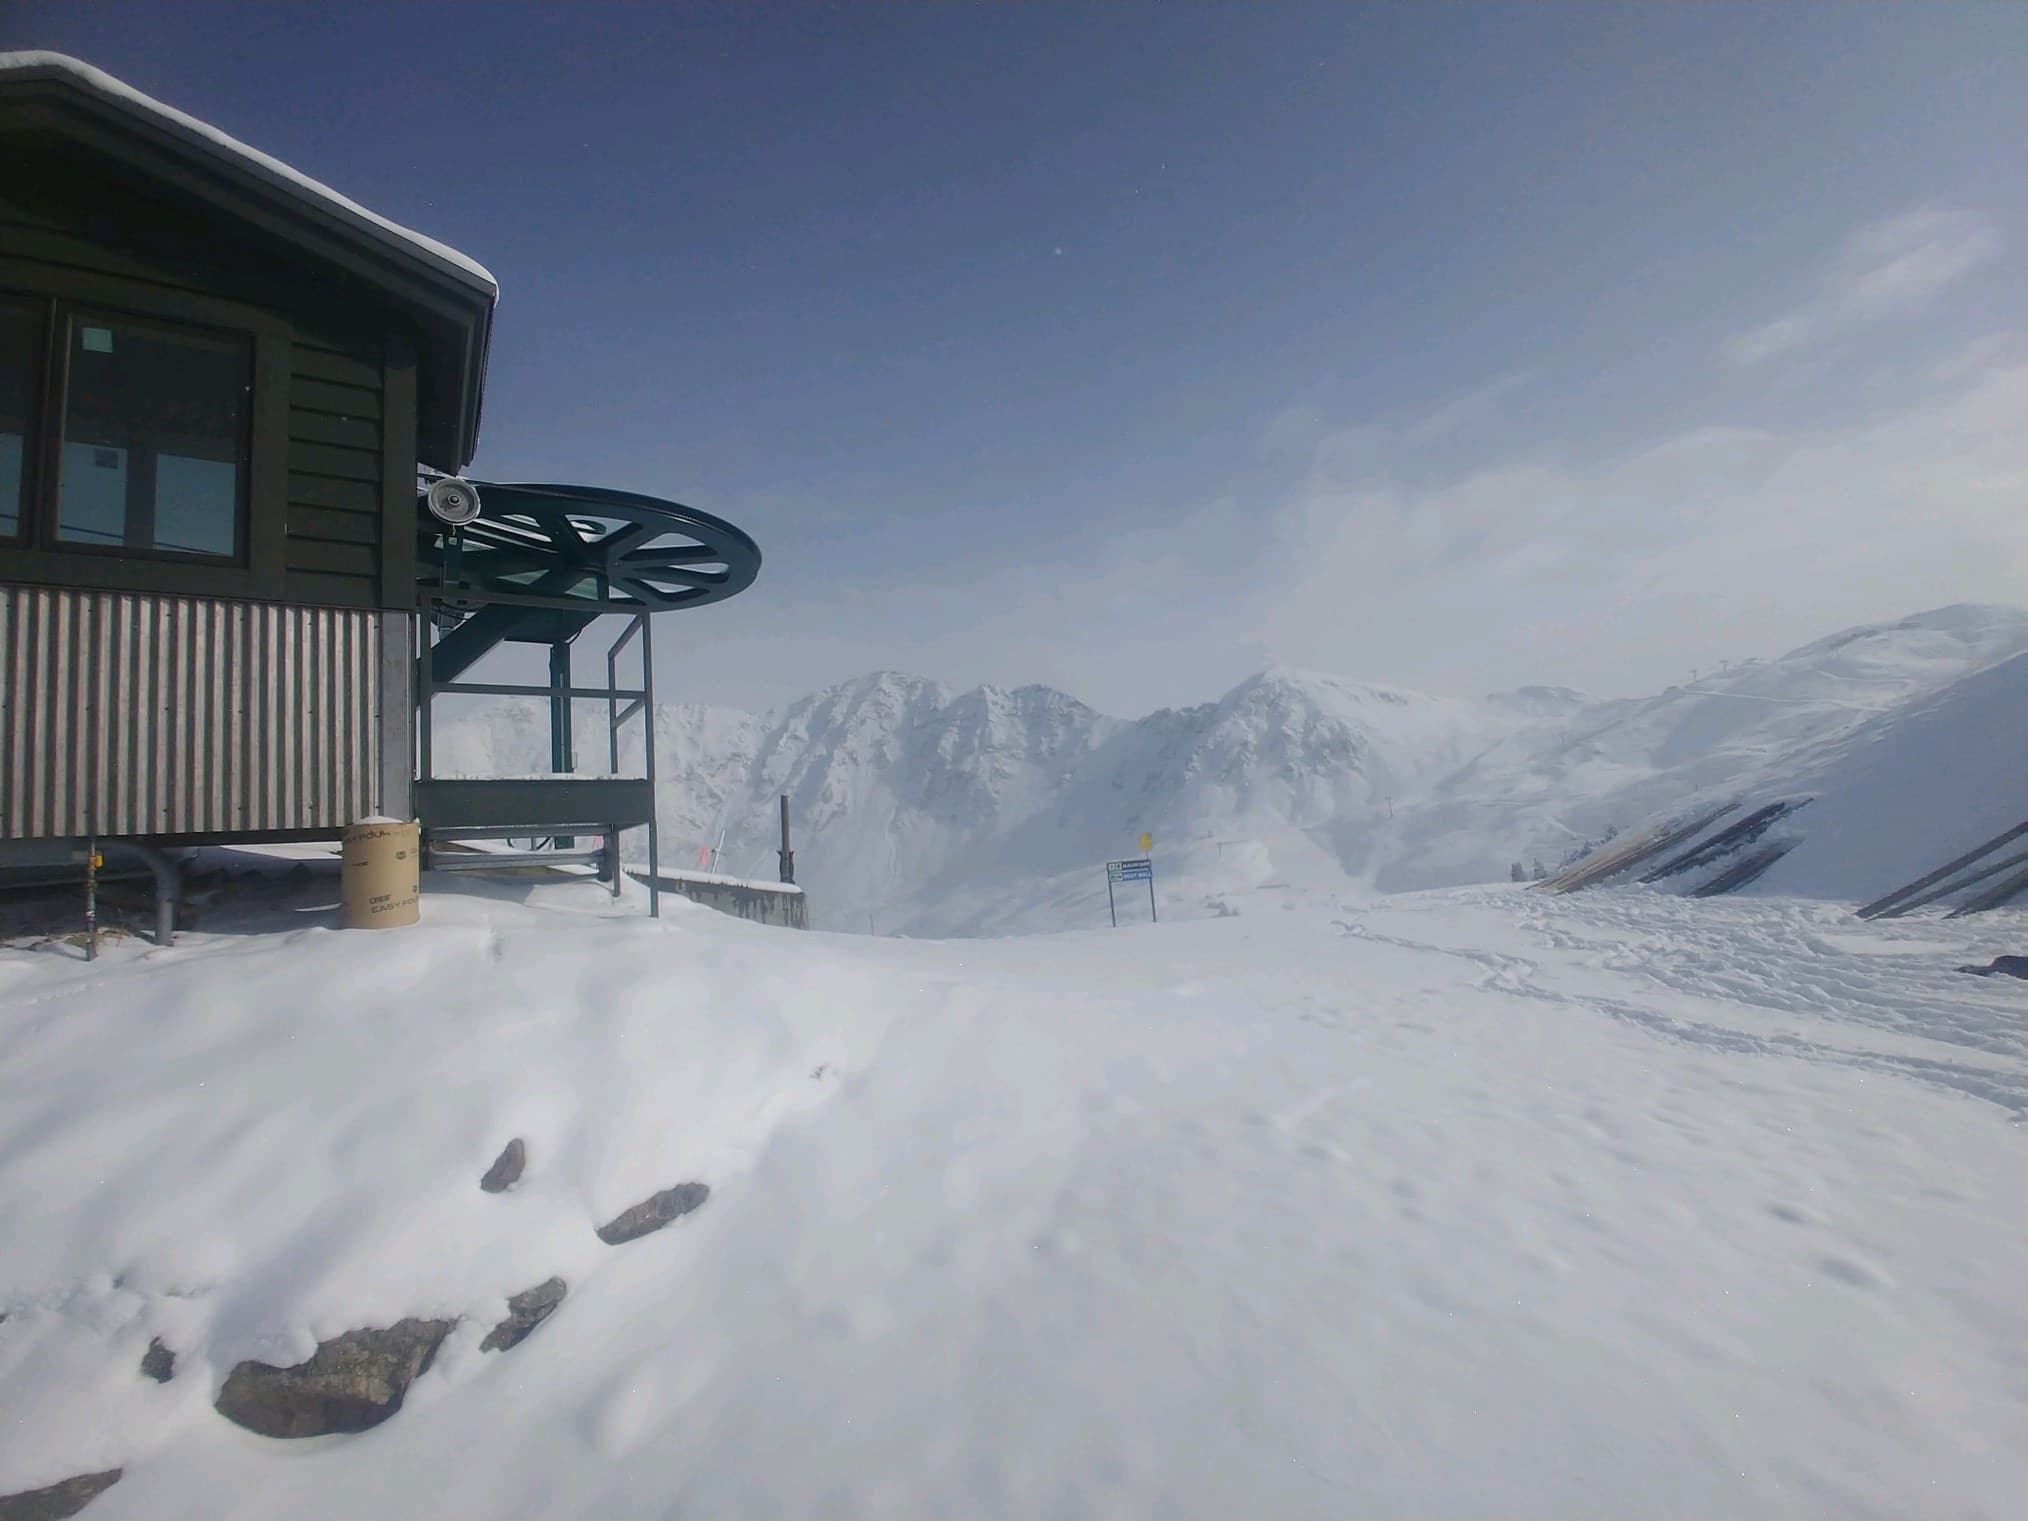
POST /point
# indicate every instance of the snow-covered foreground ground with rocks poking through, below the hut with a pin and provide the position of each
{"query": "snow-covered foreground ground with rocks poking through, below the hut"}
(1455, 1204)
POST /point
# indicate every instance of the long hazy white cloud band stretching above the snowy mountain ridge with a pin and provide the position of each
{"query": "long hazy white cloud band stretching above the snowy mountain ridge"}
(1605, 571)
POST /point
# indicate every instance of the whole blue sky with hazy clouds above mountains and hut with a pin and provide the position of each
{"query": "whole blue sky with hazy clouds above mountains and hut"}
(1137, 348)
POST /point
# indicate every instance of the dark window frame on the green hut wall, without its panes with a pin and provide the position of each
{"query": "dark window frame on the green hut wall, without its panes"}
(35, 555)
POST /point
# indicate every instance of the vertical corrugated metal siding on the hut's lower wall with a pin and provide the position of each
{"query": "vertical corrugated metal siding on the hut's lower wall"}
(127, 715)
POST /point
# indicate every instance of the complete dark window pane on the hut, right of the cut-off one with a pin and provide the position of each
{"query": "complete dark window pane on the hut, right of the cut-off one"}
(155, 435)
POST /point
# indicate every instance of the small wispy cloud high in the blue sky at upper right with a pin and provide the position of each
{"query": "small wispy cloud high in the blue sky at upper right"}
(1885, 271)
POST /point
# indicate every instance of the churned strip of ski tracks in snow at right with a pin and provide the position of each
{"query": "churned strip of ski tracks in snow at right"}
(1788, 979)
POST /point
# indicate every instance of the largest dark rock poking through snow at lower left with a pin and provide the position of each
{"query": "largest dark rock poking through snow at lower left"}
(350, 1384)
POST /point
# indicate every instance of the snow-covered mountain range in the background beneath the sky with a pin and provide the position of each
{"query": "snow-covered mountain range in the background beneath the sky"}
(934, 812)
